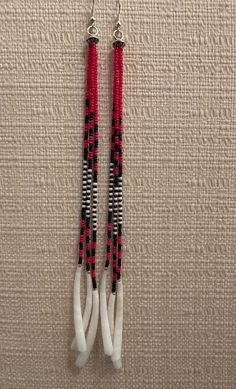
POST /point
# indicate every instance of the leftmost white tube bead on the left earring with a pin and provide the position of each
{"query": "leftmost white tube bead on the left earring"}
(78, 321)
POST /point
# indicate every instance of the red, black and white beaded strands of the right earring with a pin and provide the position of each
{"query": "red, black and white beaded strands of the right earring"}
(114, 222)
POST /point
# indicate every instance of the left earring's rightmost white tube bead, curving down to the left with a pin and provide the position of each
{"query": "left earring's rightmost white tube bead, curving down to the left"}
(92, 331)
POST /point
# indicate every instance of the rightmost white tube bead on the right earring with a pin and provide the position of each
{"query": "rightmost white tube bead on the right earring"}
(117, 341)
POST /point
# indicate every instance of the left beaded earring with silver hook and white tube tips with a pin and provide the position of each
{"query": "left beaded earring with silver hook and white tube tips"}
(88, 228)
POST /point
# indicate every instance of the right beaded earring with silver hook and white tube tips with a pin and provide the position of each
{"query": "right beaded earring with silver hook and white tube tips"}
(111, 318)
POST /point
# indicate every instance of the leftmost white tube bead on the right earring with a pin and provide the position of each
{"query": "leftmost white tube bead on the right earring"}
(106, 333)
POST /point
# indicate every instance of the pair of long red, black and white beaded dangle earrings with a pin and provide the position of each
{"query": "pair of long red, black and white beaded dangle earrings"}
(111, 312)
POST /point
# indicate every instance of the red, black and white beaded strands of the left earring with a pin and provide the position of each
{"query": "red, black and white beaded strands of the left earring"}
(90, 167)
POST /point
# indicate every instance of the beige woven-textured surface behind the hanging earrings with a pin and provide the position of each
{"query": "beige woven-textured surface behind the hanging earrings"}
(179, 254)
